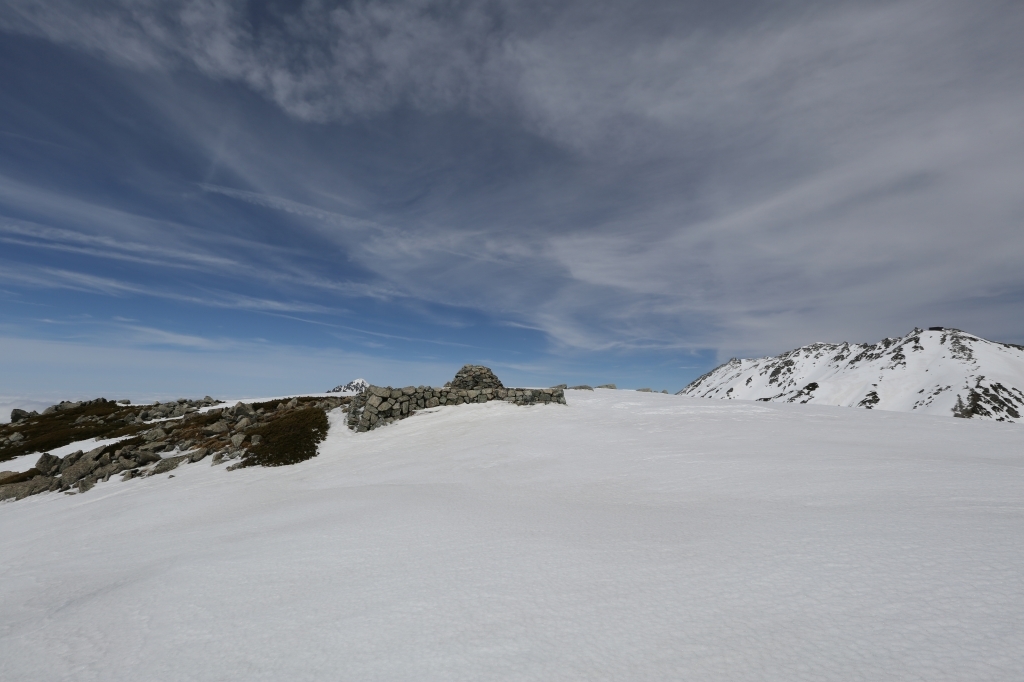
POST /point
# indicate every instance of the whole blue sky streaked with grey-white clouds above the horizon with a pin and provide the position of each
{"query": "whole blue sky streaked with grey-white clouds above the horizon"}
(265, 198)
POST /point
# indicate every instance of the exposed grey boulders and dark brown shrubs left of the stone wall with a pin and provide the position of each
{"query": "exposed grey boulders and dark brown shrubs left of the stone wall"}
(259, 435)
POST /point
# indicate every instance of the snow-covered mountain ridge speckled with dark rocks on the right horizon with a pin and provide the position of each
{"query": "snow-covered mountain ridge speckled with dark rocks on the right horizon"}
(937, 372)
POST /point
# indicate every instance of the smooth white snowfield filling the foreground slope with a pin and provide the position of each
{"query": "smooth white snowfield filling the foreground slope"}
(623, 537)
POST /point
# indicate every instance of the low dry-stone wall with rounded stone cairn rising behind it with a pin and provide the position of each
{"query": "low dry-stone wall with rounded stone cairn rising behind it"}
(378, 406)
